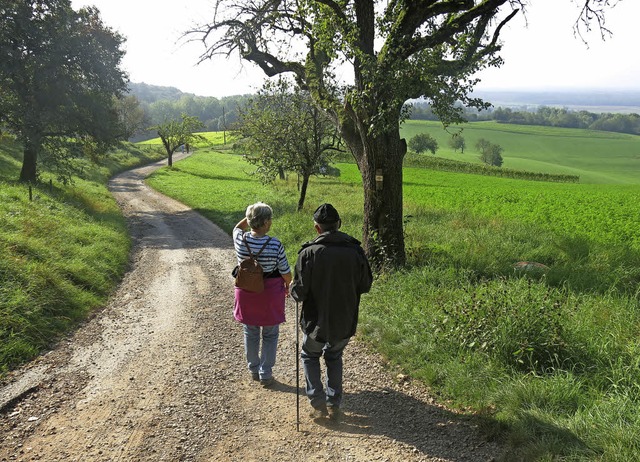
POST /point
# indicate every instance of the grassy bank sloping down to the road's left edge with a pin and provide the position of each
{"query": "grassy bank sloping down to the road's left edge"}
(60, 254)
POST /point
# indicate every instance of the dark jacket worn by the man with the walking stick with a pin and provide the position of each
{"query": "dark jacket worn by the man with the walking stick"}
(331, 273)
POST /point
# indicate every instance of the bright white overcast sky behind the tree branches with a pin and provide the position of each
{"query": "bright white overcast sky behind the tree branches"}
(540, 53)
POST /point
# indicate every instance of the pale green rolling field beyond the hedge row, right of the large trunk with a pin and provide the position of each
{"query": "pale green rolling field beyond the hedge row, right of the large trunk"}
(596, 157)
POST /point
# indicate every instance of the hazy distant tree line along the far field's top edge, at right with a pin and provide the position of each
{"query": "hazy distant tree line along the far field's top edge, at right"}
(545, 116)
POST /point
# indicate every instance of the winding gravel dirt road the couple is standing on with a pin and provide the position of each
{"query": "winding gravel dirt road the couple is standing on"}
(159, 373)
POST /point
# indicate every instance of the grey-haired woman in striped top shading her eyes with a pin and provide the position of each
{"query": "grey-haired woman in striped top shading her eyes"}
(261, 313)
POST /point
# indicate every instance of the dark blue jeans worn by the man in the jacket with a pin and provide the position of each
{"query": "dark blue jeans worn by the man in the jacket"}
(311, 352)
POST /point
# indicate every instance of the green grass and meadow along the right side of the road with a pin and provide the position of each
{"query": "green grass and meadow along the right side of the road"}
(550, 359)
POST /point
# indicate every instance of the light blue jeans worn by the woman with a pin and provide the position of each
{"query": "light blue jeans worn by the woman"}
(261, 363)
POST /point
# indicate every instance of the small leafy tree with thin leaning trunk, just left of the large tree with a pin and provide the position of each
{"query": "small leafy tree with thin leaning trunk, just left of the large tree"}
(286, 131)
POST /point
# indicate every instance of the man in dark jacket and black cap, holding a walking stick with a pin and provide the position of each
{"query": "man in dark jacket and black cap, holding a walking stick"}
(331, 273)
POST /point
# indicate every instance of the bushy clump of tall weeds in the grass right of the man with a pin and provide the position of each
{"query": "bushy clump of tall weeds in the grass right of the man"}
(518, 323)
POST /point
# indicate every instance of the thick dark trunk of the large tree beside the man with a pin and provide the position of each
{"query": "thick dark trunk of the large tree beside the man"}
(380, 161)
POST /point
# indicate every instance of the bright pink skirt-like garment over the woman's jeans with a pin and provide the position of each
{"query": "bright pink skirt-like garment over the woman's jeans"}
(264, 309)
